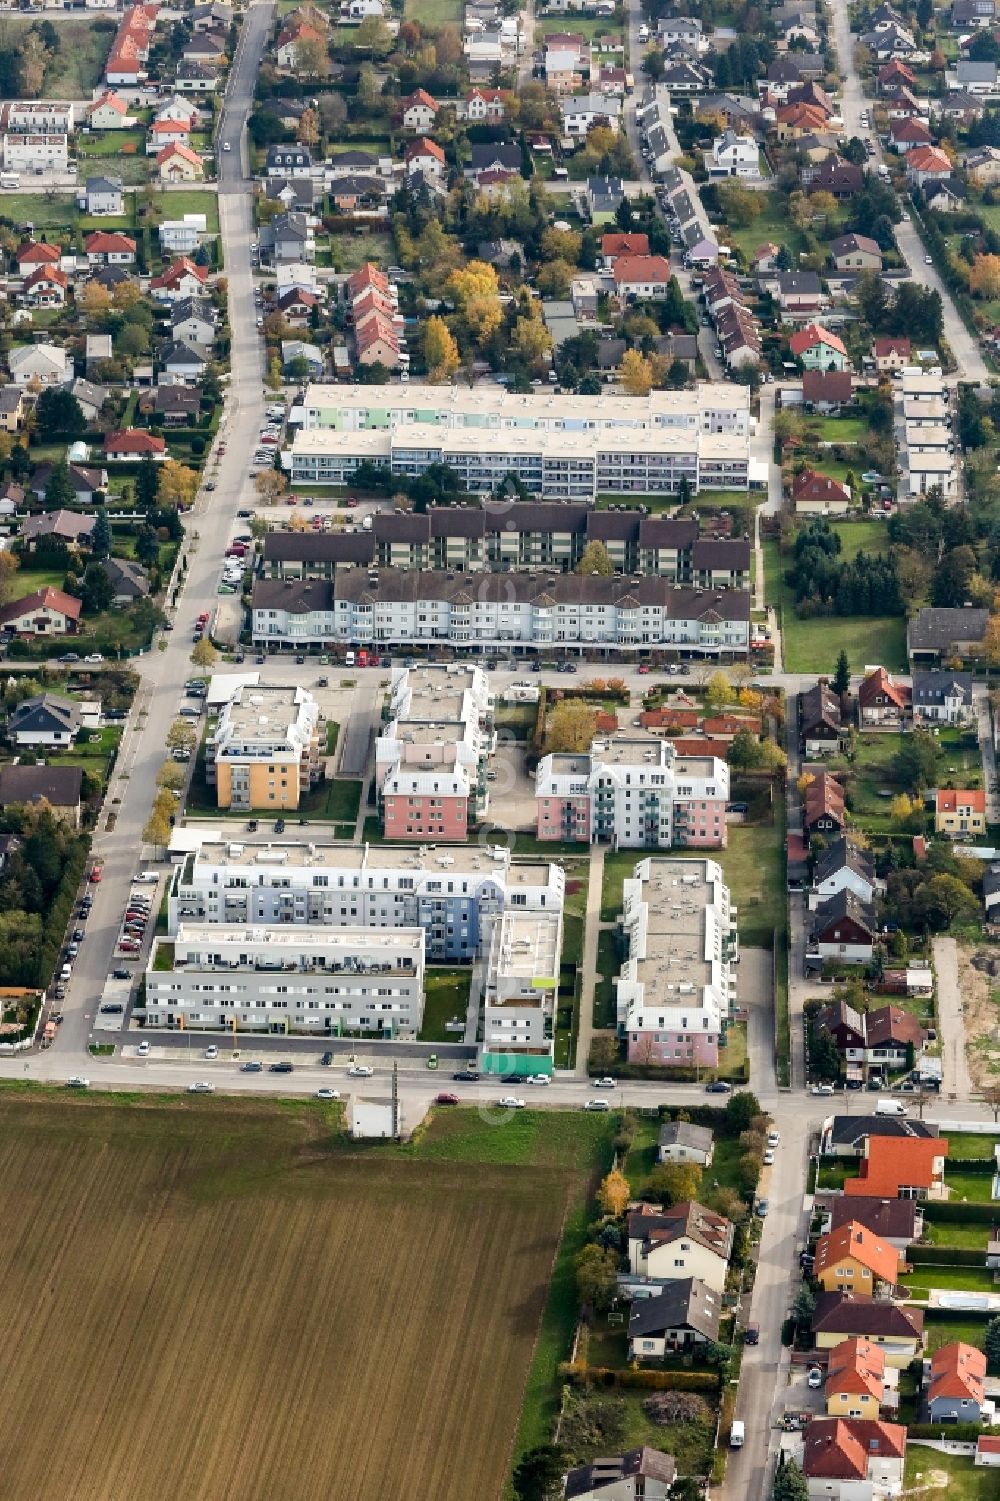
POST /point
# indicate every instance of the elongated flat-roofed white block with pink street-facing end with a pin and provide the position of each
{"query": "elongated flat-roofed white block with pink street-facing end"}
(676, 990)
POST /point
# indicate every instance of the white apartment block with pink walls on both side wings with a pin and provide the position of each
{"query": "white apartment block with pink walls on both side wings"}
(634, 793)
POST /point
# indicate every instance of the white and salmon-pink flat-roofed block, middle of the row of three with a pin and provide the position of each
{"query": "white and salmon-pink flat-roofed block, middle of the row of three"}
(433, 756)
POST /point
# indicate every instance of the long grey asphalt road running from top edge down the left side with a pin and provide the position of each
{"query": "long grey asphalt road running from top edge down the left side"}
(209, 528)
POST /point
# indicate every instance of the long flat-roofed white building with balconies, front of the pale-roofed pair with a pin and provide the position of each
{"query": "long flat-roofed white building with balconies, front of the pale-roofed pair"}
(553, 465)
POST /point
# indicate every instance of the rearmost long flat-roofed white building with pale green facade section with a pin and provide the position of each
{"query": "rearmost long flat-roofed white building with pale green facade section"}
(354, 409)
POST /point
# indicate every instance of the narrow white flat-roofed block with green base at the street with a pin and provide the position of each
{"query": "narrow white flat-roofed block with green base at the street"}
(520, 993)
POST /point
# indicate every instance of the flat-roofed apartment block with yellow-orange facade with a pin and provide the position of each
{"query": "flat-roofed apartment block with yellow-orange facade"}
(265, 751)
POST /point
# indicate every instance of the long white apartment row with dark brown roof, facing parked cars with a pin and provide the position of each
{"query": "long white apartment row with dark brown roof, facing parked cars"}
(408, 607)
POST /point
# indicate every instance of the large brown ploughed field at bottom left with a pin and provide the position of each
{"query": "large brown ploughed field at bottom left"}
(224, 1298)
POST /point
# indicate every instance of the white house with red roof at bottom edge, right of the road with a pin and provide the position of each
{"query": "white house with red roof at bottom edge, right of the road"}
(852, 1460)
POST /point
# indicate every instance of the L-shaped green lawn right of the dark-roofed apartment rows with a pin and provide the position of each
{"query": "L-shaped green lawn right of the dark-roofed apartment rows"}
(813, 646)
